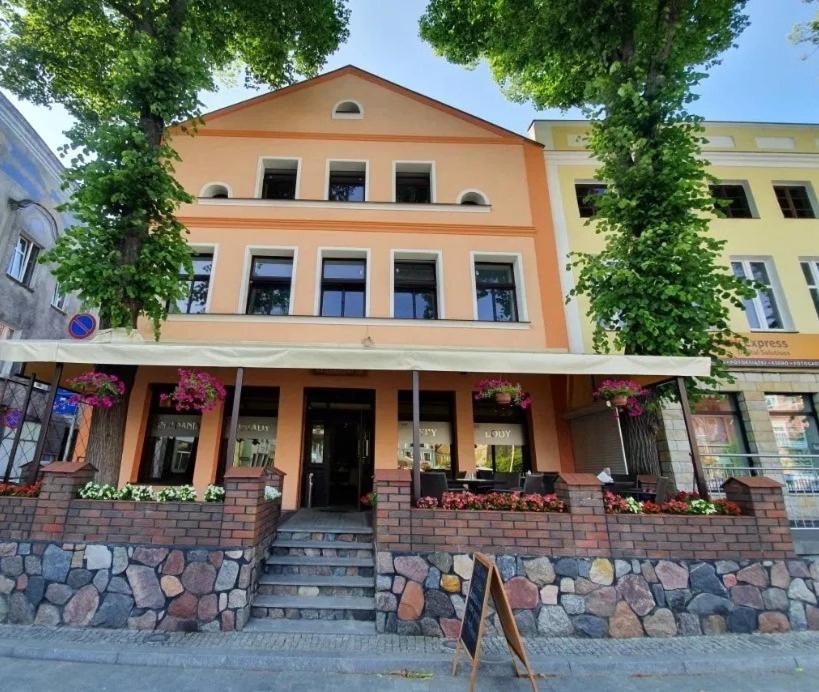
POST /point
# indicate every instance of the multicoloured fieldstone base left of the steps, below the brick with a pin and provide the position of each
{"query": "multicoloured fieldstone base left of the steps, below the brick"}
(140, 587)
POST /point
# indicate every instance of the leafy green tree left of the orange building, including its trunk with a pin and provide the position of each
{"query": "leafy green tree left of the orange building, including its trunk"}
(125, 70)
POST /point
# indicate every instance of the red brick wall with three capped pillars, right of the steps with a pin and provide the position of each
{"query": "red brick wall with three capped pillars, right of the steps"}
(586, 530)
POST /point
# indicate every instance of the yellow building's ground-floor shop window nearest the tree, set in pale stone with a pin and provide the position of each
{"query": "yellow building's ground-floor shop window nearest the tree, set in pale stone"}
(719, 431)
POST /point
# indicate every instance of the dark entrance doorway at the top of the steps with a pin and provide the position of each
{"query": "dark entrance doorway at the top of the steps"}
(338, 464)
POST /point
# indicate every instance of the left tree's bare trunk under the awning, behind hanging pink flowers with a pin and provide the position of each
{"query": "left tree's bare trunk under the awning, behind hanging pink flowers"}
(106, 435)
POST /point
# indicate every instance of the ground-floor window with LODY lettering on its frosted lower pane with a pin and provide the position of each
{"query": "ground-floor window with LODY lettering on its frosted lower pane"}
(501, 439)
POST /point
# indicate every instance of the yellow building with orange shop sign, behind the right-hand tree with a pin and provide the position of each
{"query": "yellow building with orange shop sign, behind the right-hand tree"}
(770, 174)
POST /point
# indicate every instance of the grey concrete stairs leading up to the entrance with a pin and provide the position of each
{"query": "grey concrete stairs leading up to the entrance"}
(317, 581)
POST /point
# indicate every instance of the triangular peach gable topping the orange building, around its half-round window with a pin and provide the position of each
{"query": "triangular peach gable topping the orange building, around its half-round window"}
(388, 110)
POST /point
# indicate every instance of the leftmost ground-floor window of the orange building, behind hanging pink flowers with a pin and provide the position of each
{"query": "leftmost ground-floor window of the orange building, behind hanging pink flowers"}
(170, 449)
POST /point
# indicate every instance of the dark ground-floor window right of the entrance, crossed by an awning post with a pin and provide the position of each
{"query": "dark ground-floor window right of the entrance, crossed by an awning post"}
(436, 432)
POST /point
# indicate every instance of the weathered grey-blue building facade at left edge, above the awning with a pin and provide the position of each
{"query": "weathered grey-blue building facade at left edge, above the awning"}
(31, 304)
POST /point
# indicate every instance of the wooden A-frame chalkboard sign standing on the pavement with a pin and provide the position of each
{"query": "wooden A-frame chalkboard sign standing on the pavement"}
(486, 581)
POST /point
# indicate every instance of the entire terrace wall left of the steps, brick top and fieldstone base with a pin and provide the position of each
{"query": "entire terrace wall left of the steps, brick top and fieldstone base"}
(146, 565)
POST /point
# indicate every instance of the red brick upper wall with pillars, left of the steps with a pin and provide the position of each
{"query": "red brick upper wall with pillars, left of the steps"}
(245, 518)
